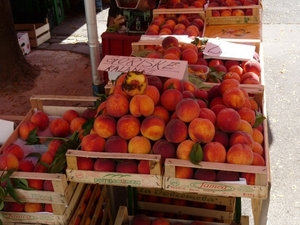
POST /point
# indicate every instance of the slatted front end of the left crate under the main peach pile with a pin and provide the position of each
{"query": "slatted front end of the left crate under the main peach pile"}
(154, 179)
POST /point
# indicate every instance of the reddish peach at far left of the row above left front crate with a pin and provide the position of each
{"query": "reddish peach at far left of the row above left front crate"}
(93, 143)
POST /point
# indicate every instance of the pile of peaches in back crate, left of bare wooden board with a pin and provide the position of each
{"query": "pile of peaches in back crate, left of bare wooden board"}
(176, 24)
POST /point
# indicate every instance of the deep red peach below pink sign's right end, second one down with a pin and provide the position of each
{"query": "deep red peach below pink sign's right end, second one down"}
(170, 98)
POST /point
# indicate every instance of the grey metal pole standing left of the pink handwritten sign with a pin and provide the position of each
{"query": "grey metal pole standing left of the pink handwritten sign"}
(93, 42)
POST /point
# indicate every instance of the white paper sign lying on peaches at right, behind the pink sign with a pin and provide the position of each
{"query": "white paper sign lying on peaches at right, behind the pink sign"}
(220, 49)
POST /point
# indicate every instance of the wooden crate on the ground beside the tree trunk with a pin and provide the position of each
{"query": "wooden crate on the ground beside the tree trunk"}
(38, 33)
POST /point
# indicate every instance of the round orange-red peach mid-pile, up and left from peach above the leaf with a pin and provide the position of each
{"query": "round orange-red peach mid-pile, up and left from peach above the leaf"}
(187, 109)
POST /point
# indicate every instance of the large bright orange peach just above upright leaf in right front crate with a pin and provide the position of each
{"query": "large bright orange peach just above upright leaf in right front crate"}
(201, 130)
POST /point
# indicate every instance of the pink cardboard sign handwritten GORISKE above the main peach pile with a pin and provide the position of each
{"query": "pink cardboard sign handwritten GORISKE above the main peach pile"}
(158, 67)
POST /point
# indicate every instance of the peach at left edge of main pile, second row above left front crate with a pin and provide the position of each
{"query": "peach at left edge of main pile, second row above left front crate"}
(105, 126)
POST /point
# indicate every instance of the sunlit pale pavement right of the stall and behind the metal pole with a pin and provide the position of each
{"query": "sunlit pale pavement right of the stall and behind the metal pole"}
(281, 50)
